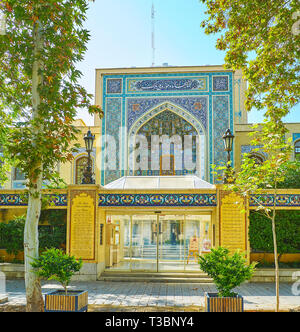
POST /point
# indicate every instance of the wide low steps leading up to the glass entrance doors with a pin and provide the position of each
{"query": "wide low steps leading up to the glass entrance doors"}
(112, 276)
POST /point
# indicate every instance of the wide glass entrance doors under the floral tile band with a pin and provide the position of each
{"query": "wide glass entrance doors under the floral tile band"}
(160, 243)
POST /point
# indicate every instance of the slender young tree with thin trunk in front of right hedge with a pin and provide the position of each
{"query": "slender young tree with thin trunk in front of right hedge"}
(254, 178)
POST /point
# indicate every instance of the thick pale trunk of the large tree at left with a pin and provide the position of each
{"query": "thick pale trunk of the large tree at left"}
(31, 243)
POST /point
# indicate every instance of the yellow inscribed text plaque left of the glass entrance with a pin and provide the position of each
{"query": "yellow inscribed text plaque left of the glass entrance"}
(82, 224)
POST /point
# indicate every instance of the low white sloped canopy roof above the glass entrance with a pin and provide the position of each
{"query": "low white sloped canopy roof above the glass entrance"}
(160, 183)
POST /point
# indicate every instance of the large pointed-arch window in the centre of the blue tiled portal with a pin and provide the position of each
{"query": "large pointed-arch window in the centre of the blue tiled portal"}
(172, 146)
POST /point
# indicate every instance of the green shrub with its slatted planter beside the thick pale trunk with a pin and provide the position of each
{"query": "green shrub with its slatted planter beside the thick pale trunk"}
(54, 264)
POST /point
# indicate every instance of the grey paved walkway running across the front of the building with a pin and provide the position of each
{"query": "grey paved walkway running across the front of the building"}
(256, 296)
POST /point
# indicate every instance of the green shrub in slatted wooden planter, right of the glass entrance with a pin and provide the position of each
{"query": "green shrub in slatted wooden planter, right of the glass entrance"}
(227, 271)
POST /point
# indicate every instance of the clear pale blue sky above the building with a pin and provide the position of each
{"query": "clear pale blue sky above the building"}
(121, 37)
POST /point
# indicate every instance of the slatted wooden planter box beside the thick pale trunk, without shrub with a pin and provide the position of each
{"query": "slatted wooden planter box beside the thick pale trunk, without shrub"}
(74, 301)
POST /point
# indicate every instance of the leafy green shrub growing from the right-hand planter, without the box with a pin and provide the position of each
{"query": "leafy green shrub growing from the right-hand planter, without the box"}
(227, 271)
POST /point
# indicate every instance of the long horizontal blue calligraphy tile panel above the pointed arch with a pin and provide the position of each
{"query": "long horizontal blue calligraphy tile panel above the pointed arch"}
(167, 85)
